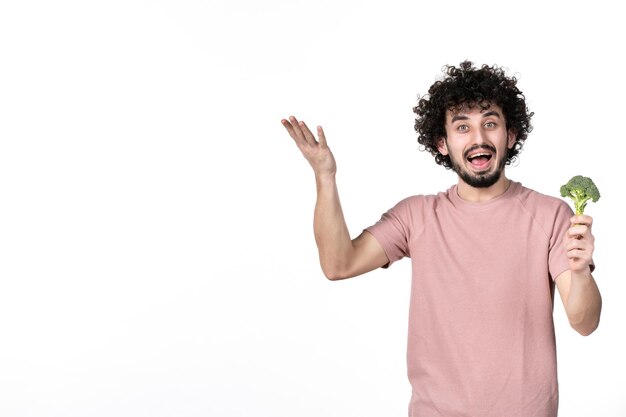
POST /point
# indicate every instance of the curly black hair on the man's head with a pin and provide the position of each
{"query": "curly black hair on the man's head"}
(468, 86)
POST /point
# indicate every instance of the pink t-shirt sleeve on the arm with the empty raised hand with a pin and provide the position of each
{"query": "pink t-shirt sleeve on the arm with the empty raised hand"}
(392, 230)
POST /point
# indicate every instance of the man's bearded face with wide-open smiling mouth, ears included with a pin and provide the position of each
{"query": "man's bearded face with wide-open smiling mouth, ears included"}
(477, 143)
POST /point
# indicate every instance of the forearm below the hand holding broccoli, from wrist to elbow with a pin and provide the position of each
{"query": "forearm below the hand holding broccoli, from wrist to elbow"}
(584, 303)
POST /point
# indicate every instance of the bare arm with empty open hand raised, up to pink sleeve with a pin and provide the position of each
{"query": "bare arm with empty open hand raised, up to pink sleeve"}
(340, 257)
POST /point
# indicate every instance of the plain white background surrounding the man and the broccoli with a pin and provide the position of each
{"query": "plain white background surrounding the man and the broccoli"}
(156, 245)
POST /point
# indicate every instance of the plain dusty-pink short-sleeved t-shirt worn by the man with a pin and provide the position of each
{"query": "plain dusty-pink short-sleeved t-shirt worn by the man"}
(481, 335)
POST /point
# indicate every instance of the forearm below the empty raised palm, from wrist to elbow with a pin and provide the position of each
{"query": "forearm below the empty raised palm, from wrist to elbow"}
(331, 232)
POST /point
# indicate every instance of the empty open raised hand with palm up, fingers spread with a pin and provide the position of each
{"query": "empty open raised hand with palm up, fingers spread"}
(316, 152)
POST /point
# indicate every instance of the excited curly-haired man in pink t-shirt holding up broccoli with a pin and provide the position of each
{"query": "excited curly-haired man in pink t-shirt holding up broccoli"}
(486, 255)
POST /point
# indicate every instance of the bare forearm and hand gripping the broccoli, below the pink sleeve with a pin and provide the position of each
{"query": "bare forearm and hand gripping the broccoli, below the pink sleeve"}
(578, 289)
